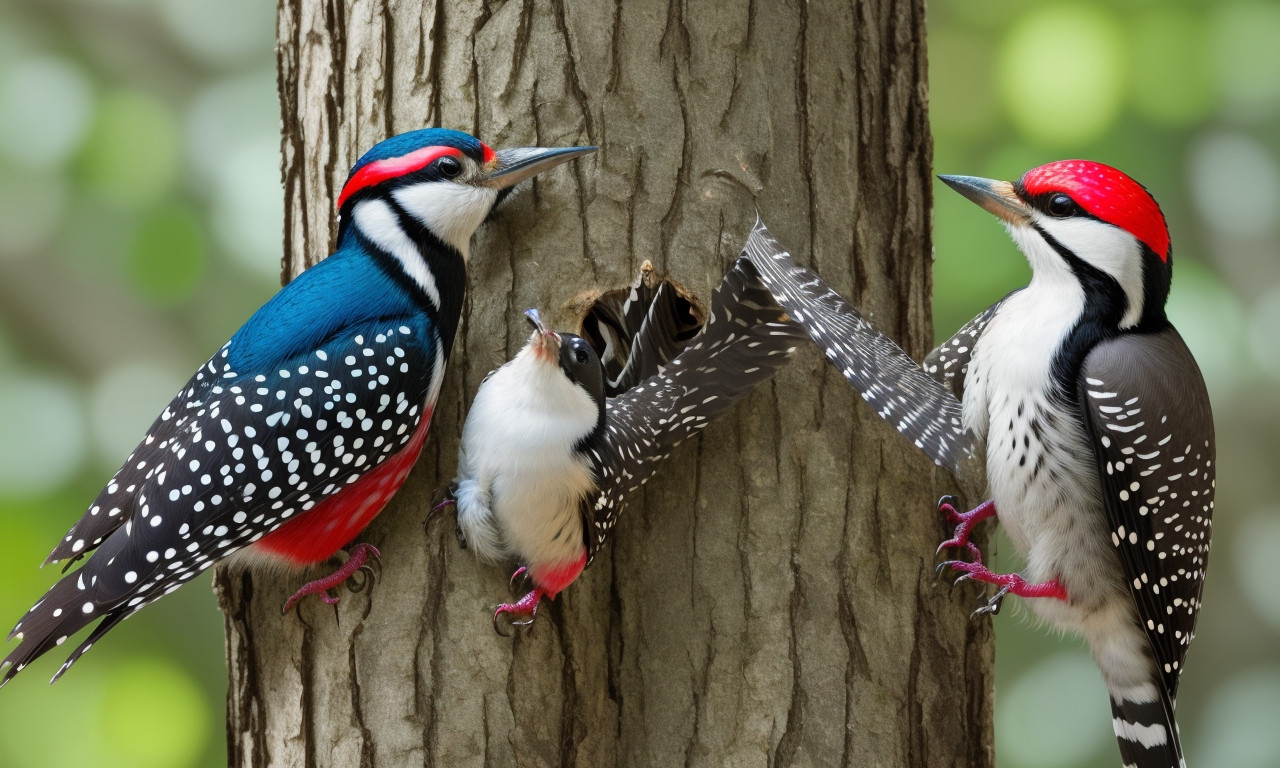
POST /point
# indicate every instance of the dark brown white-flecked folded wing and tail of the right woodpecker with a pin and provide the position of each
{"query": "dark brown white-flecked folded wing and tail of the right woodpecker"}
(1150, 422)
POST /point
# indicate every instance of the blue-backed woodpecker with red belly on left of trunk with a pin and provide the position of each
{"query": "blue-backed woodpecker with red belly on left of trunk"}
(296, 433)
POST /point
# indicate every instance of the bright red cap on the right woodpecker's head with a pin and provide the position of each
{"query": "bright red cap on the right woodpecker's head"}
(1107, 194)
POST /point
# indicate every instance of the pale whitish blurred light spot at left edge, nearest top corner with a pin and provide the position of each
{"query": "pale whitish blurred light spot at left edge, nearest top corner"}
(45, 104)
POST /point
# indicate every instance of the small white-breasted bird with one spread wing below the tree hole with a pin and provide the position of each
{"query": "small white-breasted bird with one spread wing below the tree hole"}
(548, 456)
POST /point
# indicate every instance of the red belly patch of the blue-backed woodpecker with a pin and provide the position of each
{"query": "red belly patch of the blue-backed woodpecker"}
(323, 531)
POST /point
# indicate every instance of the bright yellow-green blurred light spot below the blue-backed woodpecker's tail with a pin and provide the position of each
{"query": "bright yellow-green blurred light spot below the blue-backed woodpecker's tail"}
(152, 716)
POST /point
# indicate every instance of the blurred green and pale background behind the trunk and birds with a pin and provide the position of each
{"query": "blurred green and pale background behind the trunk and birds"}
(140, 225)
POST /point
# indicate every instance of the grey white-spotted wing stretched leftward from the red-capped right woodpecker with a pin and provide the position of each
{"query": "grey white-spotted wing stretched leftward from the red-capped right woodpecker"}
(894, 385)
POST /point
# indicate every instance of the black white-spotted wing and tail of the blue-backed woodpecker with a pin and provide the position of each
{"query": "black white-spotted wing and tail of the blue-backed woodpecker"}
(234, 458)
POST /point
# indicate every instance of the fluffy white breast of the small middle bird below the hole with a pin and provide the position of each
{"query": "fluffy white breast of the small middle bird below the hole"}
(520, 482)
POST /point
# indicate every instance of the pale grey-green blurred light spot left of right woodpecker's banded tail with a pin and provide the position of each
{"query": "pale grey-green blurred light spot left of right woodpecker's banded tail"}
(1054, 715)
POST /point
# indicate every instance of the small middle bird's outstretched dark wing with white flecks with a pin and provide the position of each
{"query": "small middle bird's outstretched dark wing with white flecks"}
(746, 341)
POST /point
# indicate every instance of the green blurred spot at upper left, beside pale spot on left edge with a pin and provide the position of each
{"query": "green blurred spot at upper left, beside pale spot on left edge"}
(132, 152)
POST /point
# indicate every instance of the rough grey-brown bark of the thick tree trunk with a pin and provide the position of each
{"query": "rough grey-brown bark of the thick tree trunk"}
(770, 600)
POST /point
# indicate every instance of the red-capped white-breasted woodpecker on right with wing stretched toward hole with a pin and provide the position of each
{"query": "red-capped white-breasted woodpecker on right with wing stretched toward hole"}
(1096, 427)
